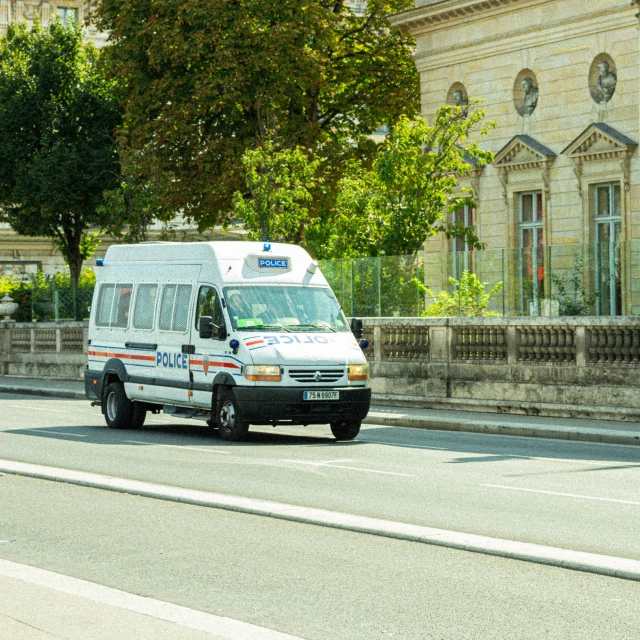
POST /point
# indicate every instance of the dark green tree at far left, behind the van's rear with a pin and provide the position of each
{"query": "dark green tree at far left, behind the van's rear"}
(57, 152)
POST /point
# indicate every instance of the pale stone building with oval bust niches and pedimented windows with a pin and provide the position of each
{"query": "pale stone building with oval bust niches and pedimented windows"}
(561, 79)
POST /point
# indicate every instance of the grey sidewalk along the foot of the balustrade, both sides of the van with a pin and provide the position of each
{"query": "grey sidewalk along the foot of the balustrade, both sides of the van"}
(595, 430)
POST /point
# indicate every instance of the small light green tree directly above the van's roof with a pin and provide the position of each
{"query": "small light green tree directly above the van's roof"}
(275, 203)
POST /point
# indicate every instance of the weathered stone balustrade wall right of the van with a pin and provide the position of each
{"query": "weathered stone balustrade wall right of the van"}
(571, 367)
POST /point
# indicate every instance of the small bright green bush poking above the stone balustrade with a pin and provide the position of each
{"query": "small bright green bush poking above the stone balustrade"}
(469, 298)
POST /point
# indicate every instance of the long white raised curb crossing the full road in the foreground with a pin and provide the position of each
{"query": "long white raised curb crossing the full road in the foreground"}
(539, 554)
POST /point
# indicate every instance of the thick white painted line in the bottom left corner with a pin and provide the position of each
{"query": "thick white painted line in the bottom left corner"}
(216, 625)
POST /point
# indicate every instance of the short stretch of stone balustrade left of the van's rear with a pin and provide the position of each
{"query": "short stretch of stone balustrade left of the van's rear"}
(49, 350)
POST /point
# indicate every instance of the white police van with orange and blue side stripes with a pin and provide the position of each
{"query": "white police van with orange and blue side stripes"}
(234, 333)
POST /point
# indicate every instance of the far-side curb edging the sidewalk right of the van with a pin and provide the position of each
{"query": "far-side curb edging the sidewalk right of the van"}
(576, 434)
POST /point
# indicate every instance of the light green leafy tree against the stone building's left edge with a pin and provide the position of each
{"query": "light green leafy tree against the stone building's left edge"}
(392, 208)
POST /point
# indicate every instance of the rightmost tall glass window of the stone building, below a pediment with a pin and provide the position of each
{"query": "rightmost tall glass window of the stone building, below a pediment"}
(608, 221)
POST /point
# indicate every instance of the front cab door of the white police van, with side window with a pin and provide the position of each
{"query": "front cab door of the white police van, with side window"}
(211, 356)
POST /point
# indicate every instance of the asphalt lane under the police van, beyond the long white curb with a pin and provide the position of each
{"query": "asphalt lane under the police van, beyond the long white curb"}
(578, 496)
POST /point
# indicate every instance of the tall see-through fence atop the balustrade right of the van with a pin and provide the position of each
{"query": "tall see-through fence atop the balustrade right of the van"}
(558, 280)
